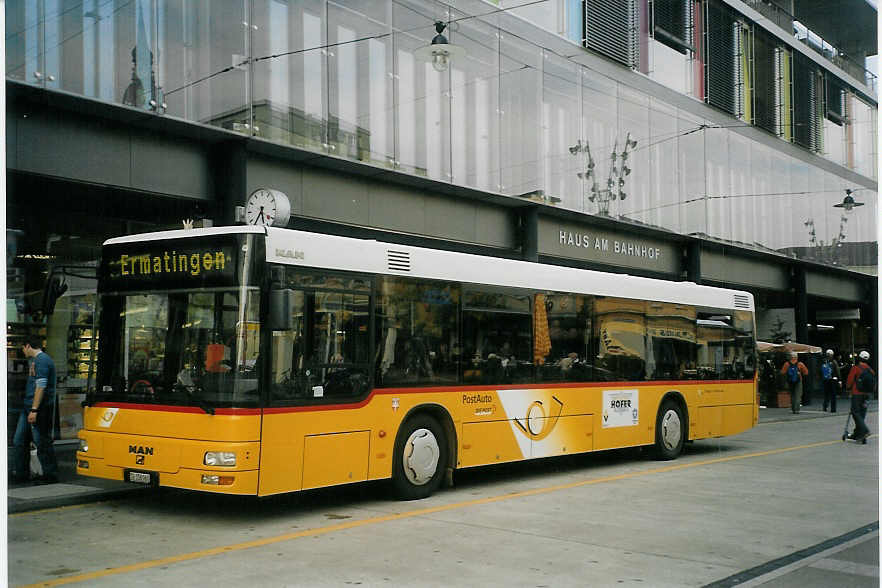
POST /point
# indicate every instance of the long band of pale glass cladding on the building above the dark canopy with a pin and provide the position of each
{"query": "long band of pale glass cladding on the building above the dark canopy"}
(342, 78)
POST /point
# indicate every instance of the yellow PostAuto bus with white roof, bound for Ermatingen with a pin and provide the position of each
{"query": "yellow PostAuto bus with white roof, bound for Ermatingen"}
(253, 360)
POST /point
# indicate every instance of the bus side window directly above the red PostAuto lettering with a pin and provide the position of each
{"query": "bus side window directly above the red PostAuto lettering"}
(497, 336)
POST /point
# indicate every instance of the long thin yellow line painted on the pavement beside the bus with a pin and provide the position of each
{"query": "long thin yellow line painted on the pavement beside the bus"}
(404, 515)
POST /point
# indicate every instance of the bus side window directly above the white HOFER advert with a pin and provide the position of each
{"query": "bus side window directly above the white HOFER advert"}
(620, 339)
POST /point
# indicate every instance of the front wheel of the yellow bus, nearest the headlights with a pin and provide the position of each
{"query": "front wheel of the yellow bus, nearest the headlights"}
(420, 458)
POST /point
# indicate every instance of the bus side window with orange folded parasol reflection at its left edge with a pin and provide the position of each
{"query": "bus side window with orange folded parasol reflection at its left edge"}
(569, 326)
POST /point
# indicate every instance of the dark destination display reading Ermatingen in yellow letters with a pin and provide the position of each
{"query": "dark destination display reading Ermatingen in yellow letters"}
(170, 264)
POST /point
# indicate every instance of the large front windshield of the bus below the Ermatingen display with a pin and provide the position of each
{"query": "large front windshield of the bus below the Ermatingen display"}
(191, 348)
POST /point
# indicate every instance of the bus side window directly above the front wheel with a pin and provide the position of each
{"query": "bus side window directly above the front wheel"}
(417, 333)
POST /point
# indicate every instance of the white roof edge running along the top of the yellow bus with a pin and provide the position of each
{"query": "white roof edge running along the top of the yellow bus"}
(316, 250)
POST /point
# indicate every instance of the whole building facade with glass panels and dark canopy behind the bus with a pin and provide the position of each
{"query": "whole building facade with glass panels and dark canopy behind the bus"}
(708, 140)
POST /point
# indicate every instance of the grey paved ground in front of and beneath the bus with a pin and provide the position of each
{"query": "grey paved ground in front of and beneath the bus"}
(799, 539)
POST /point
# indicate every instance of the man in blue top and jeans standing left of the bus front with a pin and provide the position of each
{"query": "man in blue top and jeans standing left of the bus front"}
(36, 414)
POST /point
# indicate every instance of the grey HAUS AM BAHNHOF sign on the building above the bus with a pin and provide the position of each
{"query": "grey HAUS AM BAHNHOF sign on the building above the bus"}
(629, 250)
